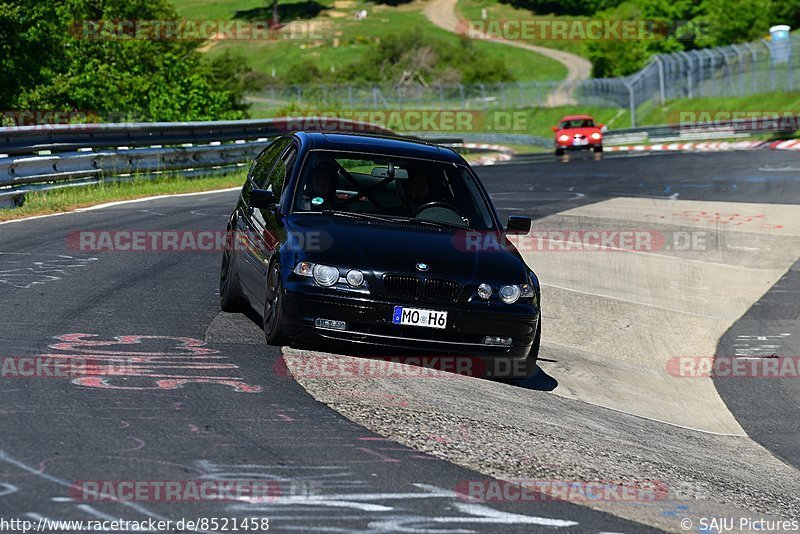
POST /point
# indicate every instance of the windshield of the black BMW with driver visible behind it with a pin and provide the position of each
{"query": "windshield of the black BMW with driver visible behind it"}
(391, 187)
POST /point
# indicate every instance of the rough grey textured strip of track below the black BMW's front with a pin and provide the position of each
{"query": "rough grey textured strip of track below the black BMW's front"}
(516, 434)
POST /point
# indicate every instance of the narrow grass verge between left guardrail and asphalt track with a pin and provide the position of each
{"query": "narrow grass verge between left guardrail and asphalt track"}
(71, 198)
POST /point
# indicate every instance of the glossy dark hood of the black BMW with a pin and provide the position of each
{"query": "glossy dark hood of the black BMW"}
(380, 247)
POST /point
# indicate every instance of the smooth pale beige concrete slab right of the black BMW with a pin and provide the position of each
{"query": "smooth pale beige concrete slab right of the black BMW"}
(615, 317)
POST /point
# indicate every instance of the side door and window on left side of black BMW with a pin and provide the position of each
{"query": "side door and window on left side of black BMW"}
(252, 225)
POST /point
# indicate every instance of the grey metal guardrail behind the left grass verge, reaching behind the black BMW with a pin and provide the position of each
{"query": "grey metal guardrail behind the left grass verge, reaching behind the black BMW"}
(35, 158)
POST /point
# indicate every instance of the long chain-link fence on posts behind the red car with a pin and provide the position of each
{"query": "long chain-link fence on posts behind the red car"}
(737, 70)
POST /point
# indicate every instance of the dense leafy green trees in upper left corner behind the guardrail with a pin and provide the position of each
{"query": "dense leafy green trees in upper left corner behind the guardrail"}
(90, 68)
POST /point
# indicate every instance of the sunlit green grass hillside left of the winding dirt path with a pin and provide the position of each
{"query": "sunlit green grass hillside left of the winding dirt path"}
(350, 38)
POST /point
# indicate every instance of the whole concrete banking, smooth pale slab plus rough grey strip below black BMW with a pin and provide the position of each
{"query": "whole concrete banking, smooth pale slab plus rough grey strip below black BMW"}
(613, 319)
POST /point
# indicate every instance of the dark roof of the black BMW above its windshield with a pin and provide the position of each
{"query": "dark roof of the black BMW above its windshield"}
(379, 144)
